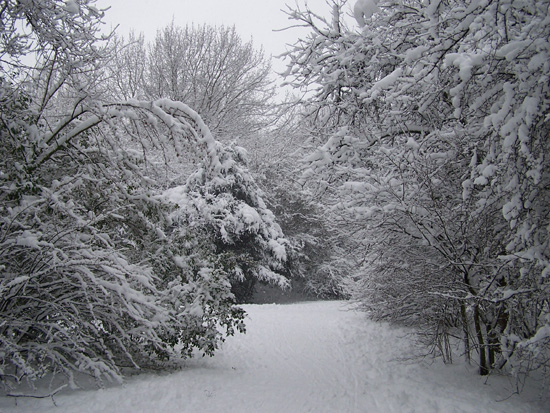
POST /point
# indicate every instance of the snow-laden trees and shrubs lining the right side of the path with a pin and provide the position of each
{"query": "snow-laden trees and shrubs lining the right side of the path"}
(437, 113)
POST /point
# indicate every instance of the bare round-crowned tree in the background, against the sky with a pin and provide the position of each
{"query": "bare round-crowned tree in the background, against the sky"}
(223, 78)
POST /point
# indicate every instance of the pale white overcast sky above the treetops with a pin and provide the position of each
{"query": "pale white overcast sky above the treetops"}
(256, 19)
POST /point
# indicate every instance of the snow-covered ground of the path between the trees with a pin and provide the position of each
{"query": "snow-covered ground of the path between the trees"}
(307, 357)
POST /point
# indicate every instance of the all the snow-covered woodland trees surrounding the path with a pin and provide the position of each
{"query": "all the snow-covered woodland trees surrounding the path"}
(148, 188)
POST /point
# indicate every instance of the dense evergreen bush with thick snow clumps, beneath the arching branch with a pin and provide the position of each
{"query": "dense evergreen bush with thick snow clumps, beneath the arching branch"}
(222, 201)
